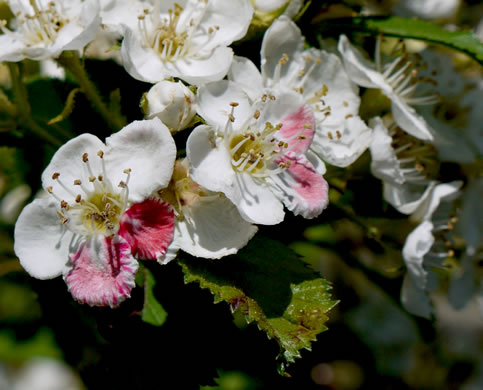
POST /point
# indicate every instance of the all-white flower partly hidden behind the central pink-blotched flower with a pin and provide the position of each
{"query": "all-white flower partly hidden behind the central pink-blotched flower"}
(318, 76)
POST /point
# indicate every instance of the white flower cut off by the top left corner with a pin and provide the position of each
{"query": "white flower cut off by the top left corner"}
(45, 28)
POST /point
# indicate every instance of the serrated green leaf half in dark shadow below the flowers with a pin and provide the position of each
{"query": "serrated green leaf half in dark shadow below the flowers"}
(270, 285)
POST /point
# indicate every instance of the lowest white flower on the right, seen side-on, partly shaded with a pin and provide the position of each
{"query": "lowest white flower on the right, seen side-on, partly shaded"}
(426, 248)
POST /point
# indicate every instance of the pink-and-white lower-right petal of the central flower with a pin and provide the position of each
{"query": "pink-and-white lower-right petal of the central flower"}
(301, 188)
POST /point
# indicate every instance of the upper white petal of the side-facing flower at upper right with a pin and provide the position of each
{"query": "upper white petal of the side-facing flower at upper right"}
(360, 70)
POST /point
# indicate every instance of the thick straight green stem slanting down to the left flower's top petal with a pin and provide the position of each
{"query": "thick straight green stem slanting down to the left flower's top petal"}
(71, 62)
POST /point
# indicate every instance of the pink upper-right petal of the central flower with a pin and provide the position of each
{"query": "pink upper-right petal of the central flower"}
(298, 129)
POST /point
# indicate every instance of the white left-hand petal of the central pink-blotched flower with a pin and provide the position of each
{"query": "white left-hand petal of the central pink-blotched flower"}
(210, 164)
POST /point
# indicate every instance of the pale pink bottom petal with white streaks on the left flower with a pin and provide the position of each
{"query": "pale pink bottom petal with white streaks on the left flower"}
(102, 272)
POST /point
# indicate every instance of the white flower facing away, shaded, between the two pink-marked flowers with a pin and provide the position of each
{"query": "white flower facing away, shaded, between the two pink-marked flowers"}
(207, 224)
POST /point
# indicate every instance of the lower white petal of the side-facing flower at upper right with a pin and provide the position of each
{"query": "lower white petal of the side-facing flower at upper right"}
(409, 120)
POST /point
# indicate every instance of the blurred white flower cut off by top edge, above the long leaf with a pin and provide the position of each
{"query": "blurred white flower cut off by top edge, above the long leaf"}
(427, 9)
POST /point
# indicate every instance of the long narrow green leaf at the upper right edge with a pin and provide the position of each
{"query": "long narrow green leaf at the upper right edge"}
(393, 26)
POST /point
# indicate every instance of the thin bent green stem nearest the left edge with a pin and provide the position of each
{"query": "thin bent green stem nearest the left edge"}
(24, 114)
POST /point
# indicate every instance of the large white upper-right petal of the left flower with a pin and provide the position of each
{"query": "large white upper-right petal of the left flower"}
(148, 149)
